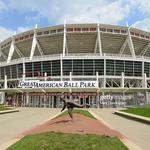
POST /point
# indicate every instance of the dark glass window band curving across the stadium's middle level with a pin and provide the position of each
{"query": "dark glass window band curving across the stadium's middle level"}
(82, 67)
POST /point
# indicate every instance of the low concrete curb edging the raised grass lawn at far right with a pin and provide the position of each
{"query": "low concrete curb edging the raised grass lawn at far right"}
(133, 117)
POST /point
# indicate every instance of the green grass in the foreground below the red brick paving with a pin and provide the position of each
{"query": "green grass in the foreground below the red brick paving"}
(66, 141)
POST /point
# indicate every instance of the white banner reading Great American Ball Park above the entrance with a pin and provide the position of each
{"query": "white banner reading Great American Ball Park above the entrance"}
(57, 84)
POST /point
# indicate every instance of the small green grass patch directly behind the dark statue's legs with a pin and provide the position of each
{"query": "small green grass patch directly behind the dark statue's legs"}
(79, 111)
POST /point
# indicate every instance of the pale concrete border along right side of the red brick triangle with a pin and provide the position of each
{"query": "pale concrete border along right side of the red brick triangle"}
(127, 142)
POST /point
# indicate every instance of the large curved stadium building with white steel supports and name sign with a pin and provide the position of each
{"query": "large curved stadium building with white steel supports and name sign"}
(103, 65)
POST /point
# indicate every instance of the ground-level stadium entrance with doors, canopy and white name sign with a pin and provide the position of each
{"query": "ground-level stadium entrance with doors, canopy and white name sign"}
(36, 93)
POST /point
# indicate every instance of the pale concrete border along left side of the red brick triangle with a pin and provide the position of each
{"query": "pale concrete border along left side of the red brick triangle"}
(13, 141)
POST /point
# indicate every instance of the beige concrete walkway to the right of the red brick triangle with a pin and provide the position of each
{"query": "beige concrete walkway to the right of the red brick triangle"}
(136, 132)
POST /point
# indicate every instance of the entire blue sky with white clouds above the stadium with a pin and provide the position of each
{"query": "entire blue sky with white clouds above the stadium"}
(21, 15)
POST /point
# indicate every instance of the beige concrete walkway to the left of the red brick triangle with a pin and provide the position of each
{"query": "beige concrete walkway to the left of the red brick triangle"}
(13, 124)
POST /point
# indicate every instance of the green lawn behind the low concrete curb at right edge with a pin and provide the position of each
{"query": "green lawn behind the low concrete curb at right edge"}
(140, 110)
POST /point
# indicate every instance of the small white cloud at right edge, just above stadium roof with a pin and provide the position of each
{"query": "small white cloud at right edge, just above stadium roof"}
(143, 24)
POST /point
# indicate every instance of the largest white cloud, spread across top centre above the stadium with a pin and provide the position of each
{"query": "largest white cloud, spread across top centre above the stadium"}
(76, 11)
